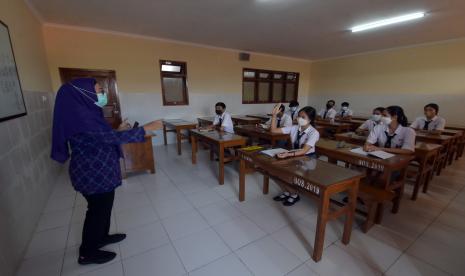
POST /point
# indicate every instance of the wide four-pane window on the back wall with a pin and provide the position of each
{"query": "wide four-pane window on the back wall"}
(265, 86)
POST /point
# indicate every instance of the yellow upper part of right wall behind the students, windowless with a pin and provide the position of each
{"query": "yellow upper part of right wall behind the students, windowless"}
(409, 77)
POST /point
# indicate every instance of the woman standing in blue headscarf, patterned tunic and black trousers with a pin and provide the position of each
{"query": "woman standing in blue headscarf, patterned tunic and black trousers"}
(94, 168)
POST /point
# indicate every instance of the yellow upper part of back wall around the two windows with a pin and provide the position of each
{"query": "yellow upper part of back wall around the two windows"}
(135, 60)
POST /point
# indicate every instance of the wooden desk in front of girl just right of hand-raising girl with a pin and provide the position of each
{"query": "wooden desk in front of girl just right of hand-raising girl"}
(386, 167)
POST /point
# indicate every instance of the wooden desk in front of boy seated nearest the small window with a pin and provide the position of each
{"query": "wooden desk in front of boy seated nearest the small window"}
(217, 140)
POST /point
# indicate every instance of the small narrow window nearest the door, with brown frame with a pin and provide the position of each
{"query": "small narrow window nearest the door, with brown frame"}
(174, 82)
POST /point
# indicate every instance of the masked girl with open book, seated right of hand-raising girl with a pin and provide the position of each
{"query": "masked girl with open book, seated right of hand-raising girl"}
(393, 135)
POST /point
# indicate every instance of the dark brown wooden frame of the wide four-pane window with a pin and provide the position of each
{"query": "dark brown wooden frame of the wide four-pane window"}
(271, 80)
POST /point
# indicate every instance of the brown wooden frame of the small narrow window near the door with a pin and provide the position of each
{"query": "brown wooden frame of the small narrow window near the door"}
(182, 75)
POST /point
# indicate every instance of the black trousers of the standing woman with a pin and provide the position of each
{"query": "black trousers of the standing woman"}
(97, 222)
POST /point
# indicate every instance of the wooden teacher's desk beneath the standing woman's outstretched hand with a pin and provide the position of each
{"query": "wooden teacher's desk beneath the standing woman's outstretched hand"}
(138, 157)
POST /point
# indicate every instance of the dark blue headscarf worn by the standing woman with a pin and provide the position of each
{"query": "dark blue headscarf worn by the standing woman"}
(75, 112)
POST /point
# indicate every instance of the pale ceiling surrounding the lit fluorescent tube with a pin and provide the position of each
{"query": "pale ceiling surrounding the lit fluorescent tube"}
(308, 29)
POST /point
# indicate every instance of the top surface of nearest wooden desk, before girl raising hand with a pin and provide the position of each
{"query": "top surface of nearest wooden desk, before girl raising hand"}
(312, 170)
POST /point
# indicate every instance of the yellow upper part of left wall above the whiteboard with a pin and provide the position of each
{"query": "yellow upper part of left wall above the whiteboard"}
(28, 46)
